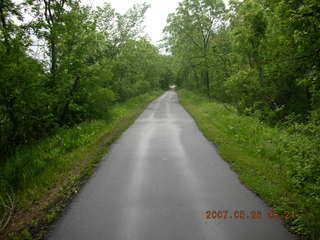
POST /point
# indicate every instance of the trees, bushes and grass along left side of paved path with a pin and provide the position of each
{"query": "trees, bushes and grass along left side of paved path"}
(69, 75)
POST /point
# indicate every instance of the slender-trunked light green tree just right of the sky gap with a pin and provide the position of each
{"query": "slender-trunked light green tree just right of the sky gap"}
(190, 31)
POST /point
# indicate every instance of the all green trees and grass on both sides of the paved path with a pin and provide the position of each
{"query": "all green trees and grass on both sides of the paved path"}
(251, 70)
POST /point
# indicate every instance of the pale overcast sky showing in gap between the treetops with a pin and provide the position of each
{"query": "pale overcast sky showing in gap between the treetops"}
(156, 17)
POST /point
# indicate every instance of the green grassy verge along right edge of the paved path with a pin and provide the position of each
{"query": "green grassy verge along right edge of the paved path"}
(281, 167)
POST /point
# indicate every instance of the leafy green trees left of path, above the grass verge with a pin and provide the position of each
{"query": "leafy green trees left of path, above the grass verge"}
(68, 64)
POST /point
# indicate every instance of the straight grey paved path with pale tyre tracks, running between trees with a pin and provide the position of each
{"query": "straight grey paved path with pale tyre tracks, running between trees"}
(158, 181)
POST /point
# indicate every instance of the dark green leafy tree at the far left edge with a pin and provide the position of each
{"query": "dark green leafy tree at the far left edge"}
(21, 94)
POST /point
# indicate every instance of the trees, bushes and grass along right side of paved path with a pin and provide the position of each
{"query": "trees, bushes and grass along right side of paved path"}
(258, 64)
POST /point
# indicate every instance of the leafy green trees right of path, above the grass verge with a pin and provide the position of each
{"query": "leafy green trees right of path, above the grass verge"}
(262, 57)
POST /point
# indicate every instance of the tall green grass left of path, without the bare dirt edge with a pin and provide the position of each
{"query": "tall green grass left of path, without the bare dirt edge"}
(33, 170)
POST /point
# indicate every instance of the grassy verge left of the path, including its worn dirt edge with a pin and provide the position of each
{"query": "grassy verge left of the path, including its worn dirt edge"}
(44, 172)
